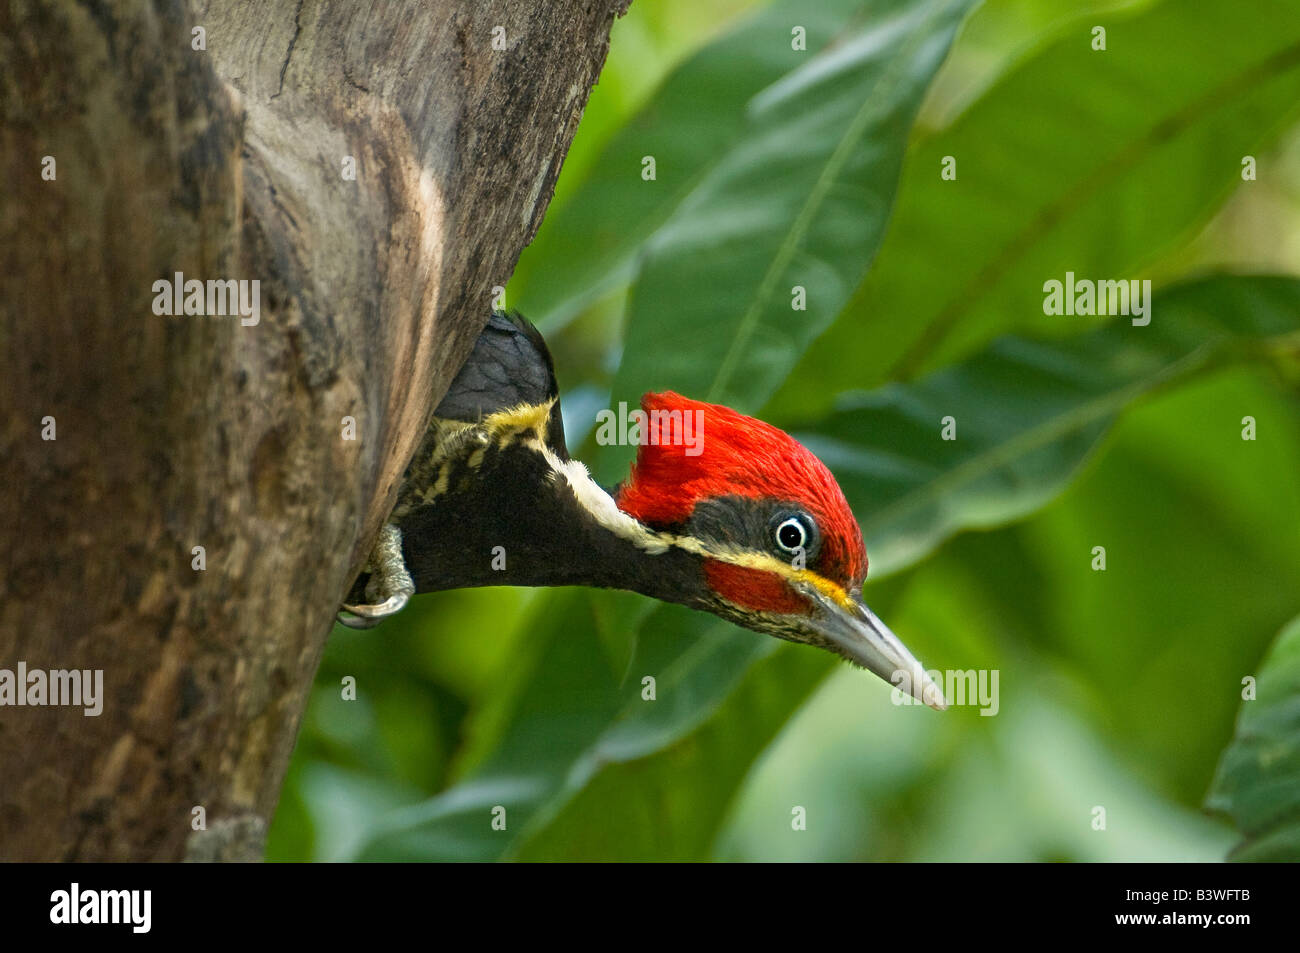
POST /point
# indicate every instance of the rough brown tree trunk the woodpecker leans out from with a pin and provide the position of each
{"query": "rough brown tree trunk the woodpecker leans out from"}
(188, 431)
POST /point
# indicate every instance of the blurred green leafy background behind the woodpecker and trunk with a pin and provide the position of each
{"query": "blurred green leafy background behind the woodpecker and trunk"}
(774, 168)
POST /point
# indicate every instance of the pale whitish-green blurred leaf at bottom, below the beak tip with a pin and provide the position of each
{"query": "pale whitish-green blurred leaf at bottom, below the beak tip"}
(883, 783)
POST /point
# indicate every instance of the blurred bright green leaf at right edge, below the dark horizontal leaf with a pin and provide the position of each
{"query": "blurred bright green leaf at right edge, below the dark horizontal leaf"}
(1188, 512)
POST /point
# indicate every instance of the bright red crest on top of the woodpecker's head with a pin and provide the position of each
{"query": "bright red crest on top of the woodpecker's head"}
(694, 452)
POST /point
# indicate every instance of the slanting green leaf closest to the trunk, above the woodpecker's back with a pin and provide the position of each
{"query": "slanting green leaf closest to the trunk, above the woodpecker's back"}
(588, 246)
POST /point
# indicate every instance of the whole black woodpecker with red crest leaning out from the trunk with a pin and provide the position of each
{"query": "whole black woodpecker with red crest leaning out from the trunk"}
(742, 522)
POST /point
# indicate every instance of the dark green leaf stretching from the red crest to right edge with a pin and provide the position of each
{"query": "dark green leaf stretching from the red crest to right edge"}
(1026, 414)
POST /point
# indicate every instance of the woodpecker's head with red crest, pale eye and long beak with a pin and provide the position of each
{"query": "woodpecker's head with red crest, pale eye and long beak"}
(781, 551)
